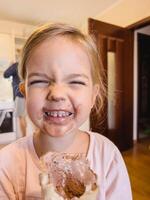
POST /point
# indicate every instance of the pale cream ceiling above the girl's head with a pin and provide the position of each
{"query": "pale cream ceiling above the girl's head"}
(75, 12)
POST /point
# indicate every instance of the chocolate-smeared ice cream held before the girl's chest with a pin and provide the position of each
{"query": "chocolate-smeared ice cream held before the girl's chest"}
(67, 177)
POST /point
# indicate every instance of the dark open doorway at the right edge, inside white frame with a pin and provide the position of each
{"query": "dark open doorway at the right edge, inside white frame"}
(143, 52)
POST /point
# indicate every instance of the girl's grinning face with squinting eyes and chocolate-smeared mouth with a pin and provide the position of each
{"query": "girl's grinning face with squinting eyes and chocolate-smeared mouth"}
(59, 88)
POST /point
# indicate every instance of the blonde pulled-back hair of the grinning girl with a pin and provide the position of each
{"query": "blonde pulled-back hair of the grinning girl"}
(49, 31)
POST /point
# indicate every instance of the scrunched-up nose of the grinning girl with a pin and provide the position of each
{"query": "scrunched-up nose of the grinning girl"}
(56, 93)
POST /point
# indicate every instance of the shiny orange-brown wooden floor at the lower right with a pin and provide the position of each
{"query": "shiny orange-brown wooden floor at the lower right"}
(138, 164)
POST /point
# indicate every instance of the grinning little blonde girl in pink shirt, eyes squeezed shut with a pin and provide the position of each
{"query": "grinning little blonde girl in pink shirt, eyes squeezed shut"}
(63, 81)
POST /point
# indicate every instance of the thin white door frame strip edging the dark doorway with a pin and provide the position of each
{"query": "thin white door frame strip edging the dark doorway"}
(145, 30)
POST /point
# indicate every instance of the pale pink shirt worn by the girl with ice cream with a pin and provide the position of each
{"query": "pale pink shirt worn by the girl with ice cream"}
(20, 168)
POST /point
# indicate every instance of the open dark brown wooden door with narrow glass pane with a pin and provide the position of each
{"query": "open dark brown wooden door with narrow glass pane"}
(115, 44)
